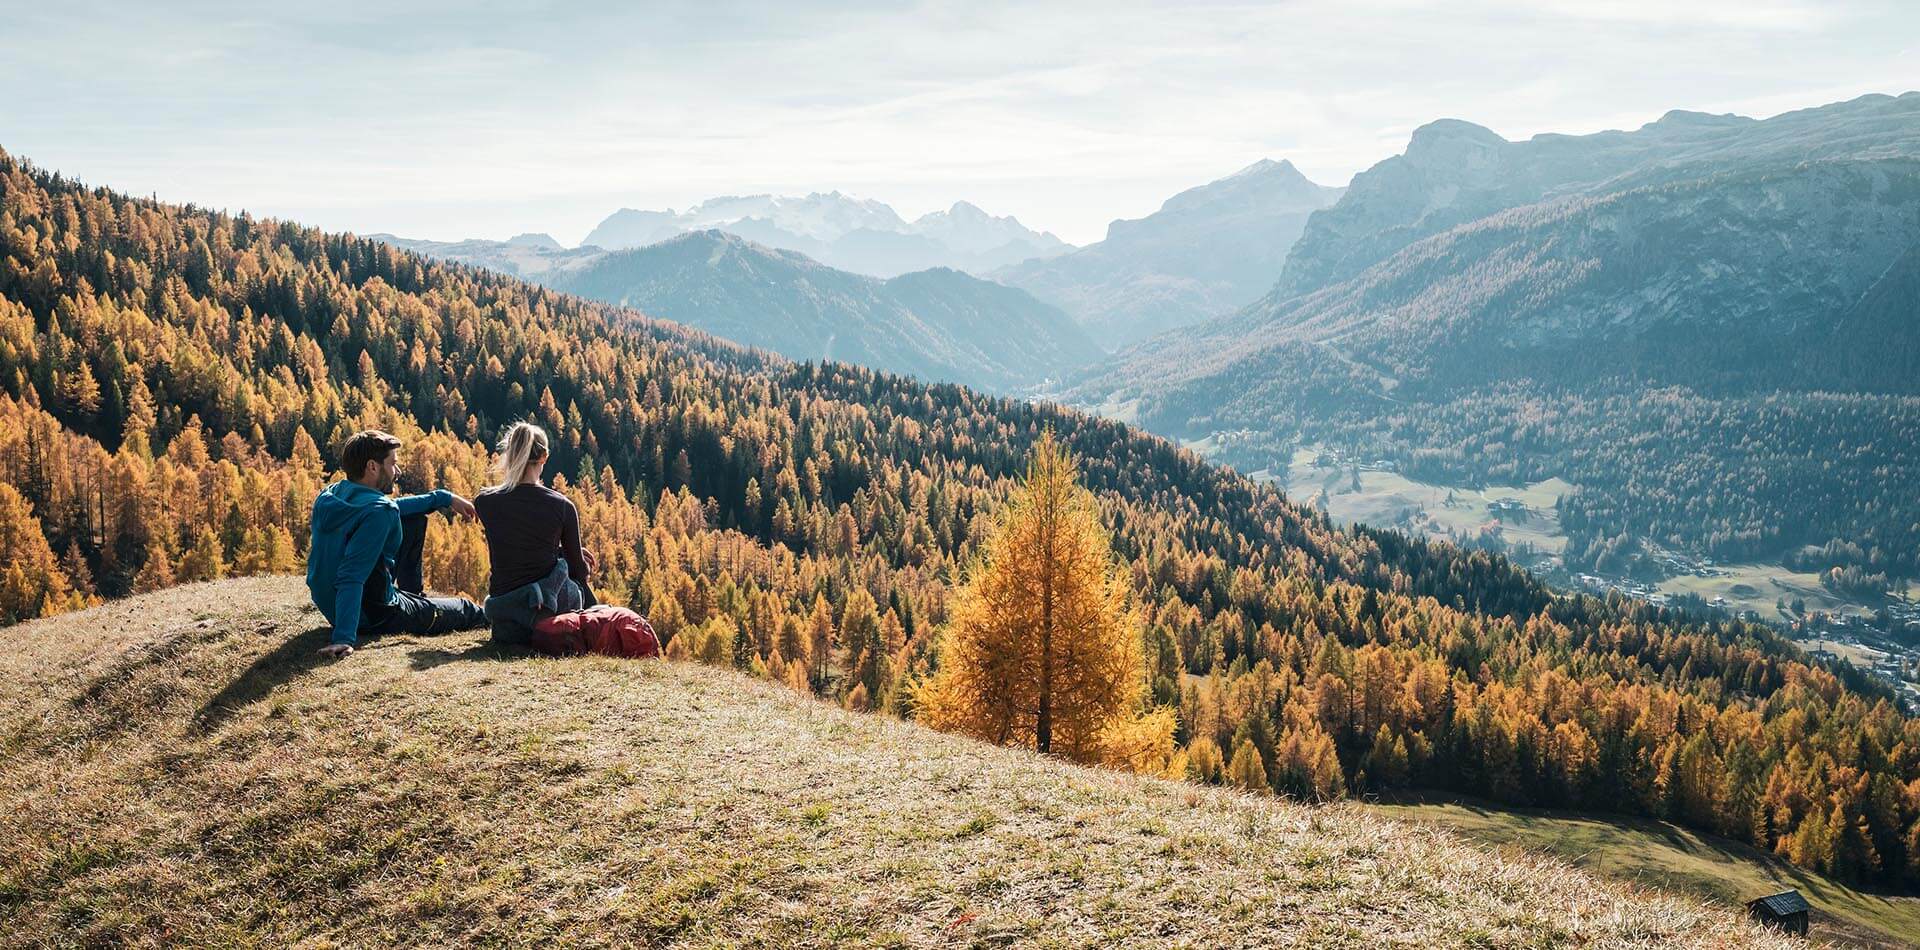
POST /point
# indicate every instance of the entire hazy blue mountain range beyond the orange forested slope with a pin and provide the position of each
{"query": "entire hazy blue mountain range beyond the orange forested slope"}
(1739, 264)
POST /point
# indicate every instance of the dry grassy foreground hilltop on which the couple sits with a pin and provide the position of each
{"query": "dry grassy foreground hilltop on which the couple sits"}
(183, 769)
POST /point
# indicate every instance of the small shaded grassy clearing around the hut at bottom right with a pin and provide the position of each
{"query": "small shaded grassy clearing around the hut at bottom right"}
(1671, 857)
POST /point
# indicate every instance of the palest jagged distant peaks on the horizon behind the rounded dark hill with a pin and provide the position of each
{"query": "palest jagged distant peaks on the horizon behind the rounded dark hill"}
(842, 231)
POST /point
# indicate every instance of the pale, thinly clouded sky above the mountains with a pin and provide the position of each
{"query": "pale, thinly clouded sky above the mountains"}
(473, 120)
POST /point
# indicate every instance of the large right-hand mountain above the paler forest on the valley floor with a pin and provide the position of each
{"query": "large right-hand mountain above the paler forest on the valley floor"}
(1472, 260)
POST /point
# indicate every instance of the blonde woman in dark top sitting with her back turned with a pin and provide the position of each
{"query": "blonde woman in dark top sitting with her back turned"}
(533, 538)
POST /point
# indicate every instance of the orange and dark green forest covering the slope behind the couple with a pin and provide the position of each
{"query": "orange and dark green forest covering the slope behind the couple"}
(174, 383)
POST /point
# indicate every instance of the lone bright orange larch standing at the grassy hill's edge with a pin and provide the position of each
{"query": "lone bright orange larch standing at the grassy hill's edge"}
(1042, 648)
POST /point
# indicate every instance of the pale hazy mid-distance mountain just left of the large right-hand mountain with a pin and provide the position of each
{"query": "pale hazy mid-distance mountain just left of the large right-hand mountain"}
(1207, 252)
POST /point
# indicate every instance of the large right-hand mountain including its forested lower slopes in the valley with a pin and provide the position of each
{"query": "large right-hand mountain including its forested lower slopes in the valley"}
(1470, 306)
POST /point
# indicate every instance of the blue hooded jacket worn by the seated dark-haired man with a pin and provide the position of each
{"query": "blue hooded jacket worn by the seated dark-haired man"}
(354, 531)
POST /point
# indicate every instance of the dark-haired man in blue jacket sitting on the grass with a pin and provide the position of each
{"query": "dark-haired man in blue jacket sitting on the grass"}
(364, 563)
